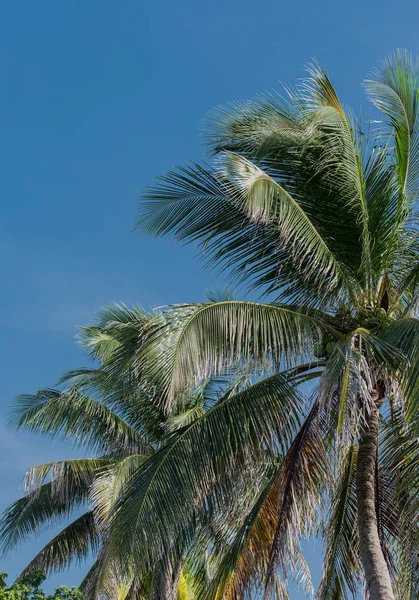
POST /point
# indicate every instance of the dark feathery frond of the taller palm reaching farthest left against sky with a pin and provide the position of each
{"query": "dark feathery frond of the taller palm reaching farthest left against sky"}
(200, 204)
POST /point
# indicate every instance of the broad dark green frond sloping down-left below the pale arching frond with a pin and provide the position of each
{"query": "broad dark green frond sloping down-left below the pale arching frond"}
(235, 433)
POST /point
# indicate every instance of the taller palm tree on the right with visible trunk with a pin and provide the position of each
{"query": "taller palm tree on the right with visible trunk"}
(317, 213)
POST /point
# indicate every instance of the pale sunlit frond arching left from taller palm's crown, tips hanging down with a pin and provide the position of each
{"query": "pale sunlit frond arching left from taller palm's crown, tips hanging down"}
(201, 340)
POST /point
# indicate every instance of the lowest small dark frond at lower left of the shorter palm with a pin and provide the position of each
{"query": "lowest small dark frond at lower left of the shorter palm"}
(73, 544)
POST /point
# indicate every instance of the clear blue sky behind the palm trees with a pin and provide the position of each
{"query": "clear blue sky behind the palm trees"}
(99, 97)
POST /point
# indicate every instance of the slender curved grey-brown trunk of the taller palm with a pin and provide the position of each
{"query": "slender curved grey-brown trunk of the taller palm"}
(375, 567)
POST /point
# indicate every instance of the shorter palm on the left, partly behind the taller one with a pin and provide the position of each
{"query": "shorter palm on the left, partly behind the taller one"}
(105, 410)
